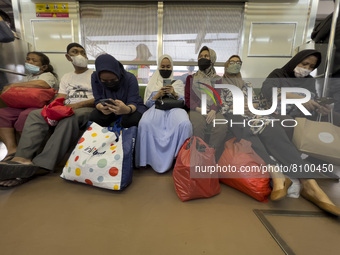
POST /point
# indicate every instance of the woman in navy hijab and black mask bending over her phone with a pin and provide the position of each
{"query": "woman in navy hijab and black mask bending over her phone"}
(111, 82)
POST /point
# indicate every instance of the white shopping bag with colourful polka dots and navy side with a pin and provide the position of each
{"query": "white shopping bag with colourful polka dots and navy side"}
(102, 158)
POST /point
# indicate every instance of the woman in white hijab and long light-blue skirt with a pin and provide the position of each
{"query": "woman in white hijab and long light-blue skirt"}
(161, 133)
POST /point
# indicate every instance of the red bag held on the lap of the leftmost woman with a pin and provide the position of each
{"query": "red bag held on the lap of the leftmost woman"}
(26, 97)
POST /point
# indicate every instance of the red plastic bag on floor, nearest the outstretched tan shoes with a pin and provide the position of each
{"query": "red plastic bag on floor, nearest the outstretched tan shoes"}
(237, 155)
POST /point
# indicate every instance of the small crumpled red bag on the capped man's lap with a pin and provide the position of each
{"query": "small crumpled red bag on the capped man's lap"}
(56, 111)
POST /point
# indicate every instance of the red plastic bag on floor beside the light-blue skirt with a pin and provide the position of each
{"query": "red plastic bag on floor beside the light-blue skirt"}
(195, 152)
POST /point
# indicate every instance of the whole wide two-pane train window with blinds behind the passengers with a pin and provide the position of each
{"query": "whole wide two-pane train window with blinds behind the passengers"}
(133, 34)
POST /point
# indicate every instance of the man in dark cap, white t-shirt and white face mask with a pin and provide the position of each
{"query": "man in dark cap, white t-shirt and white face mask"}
(76, 88)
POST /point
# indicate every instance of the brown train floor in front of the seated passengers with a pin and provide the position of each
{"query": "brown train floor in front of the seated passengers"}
(49, 215)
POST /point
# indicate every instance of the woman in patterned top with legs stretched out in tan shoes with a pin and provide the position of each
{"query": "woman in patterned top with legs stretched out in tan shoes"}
(262, 136)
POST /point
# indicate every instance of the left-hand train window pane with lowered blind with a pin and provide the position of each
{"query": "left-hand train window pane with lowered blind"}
(126, 31)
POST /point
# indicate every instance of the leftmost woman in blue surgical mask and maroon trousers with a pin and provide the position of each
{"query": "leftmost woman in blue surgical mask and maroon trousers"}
(40, 75)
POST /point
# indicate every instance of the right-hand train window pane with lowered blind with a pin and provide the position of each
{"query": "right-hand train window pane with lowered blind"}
(190, 26)
